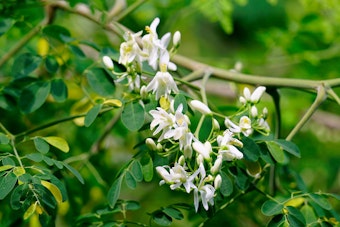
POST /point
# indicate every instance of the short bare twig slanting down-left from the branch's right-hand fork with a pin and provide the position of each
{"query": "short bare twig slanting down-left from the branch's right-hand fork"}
(321, 95)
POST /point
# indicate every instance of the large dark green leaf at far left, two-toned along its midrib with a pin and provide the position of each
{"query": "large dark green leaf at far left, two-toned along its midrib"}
(34, 96)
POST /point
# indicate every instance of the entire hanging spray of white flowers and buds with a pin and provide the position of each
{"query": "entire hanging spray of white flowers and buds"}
(198, 162)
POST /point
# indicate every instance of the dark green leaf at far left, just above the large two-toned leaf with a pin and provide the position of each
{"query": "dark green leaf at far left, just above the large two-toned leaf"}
(24, 64)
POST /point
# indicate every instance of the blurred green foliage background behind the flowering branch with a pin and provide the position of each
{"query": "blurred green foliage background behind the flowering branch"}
(292, 39)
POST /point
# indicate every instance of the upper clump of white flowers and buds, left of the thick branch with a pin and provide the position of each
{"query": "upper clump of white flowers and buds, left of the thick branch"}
(138, 49)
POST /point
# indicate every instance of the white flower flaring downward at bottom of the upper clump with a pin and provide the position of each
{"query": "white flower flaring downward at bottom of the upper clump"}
(163, 83)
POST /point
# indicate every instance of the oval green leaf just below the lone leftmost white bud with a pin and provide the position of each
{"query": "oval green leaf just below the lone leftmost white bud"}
(100, 81)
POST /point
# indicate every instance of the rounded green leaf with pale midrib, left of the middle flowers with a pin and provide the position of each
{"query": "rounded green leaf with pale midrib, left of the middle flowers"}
(133, 116)
